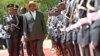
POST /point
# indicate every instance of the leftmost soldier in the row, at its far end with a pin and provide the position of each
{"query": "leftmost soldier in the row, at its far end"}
(50, 28)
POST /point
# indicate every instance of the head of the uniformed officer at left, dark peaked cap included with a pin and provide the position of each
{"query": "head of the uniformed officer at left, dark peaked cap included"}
(12, 9)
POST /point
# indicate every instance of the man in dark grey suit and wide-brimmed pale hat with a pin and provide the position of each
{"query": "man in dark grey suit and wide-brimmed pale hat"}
(34, 29)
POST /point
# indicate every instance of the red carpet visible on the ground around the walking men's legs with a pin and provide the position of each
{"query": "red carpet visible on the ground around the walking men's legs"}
(46, 51)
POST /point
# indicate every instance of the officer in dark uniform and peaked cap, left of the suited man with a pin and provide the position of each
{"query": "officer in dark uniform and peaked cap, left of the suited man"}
(13, 26)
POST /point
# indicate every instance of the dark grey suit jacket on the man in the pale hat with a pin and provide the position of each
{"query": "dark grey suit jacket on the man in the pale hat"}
(35, 29)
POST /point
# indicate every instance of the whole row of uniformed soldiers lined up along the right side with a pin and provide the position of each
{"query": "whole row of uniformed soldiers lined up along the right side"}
(74, 27)
